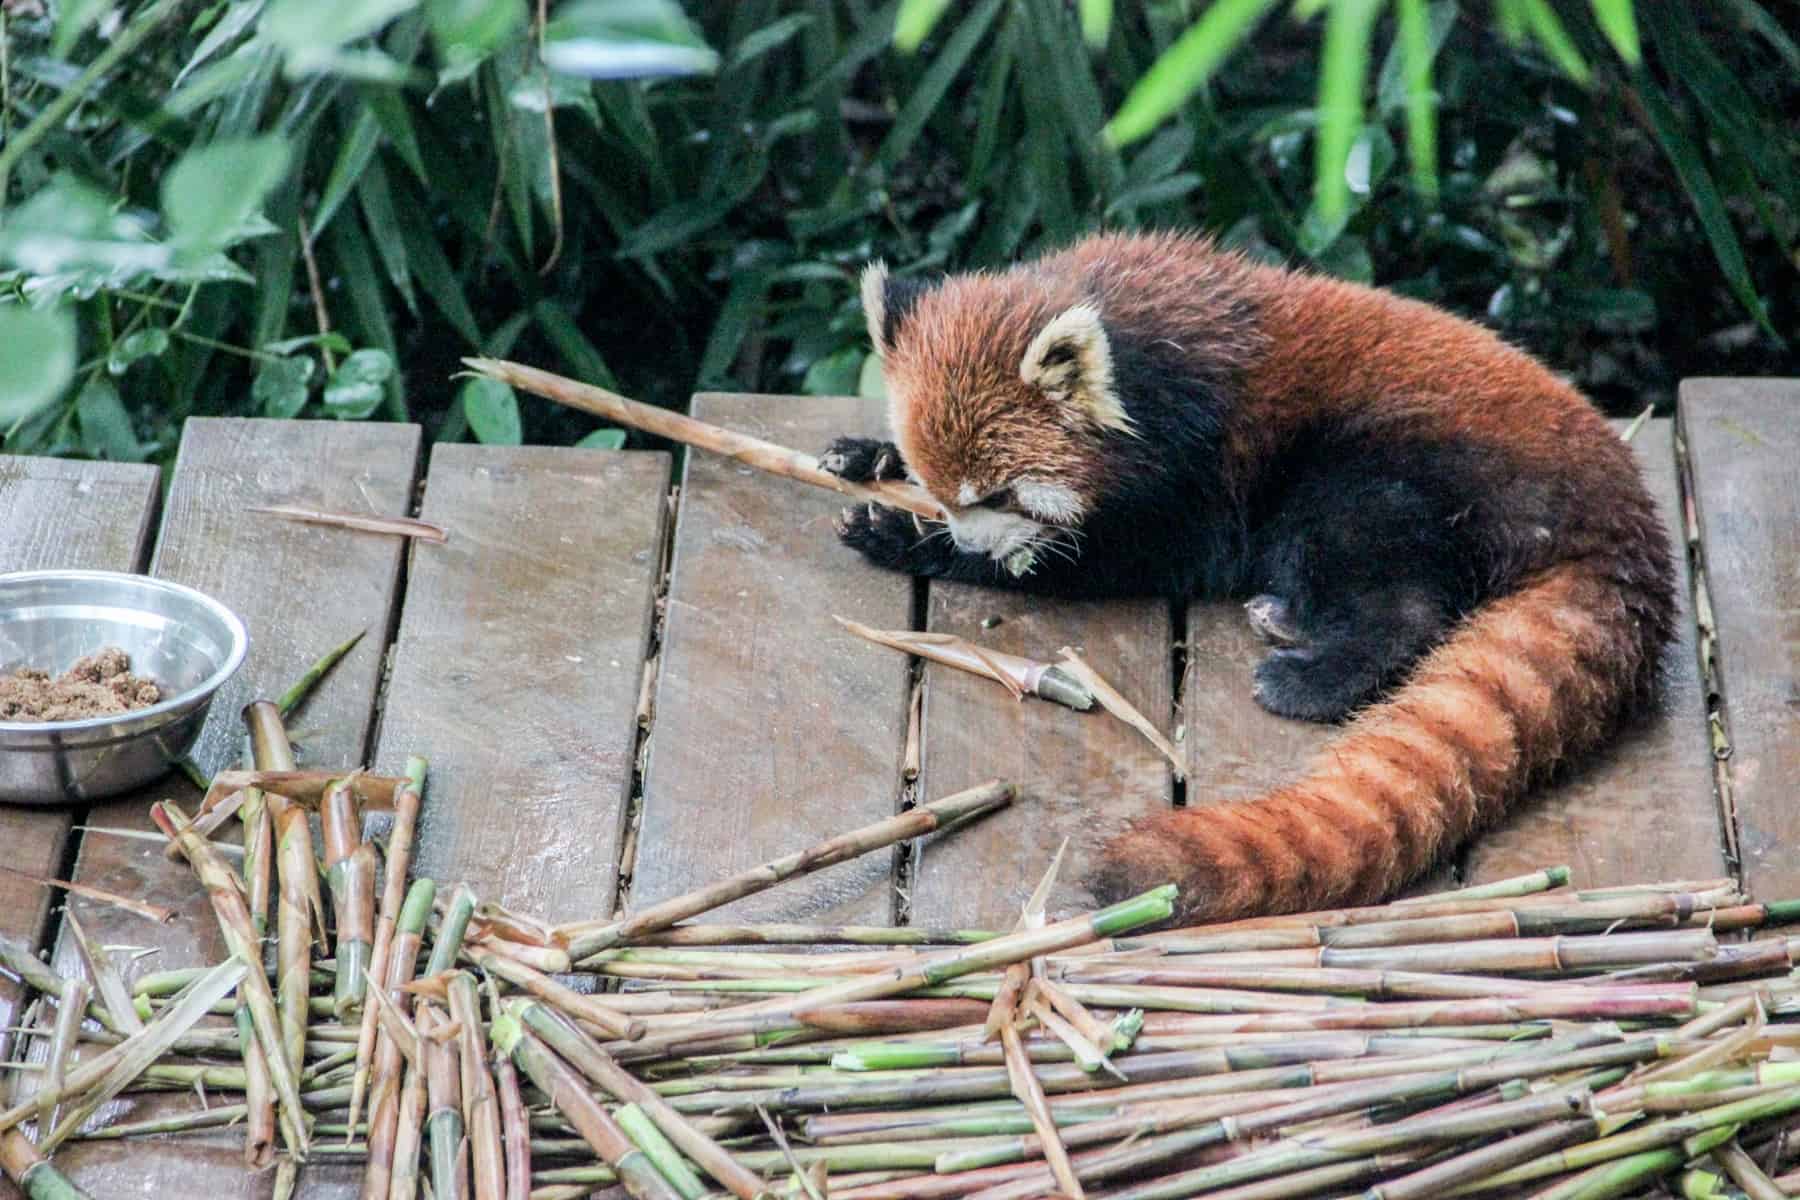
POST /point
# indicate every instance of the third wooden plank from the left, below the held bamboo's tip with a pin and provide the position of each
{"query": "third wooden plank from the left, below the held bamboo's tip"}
(519, 668)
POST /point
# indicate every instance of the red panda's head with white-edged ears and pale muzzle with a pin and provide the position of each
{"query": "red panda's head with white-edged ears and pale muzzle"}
(998, 399)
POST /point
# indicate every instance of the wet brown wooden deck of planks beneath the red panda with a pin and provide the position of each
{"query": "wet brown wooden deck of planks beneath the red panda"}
(629, 685)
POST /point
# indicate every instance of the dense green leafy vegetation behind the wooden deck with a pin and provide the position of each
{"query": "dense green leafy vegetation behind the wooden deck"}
(316, 208)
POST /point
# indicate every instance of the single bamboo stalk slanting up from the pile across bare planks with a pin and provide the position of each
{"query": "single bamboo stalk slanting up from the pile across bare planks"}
(915, 823)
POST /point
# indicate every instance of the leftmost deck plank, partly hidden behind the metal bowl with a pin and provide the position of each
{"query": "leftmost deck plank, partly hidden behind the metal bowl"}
(58, 514)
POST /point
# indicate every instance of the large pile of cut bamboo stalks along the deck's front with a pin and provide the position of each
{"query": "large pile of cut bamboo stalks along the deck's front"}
(1515, 1039)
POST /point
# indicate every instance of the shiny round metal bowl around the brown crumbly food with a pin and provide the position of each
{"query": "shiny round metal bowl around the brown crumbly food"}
(188, 643)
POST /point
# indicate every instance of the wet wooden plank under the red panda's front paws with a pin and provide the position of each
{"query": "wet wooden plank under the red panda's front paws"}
(773, 726)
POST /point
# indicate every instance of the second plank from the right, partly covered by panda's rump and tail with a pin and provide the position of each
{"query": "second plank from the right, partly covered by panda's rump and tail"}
(1644, 809)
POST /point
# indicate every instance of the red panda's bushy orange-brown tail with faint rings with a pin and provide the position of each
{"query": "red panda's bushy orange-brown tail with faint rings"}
(1527, 683)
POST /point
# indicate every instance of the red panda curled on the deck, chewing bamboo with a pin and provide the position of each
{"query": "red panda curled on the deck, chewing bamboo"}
(1439, 539)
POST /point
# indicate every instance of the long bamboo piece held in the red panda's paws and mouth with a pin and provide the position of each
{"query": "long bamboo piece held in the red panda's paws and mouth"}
(741, 447)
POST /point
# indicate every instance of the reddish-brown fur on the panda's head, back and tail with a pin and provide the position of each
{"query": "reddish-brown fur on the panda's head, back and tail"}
(1525, 685)
